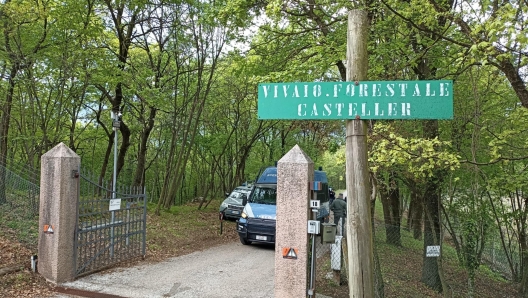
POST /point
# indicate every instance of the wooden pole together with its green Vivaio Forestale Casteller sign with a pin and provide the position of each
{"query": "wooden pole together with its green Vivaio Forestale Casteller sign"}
(360, 100)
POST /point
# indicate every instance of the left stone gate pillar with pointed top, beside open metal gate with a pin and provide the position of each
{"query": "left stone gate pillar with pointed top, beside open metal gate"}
(59, 191)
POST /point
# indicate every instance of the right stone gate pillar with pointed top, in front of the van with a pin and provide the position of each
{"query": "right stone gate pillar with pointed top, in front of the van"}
(295, 171)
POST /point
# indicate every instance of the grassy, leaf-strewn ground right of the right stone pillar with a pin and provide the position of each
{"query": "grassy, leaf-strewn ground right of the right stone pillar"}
(401, 268)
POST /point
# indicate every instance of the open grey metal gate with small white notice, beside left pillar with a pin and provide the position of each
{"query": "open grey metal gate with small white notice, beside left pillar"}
(110, 228)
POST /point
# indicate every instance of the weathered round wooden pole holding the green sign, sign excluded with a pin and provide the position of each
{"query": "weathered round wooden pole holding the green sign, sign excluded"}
(358, 223)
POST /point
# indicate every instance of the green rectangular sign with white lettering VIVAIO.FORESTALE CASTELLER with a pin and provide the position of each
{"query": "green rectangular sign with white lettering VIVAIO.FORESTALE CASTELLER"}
(349, 100)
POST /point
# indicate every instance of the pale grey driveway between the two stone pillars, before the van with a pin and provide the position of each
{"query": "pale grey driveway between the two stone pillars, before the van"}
(231, 270)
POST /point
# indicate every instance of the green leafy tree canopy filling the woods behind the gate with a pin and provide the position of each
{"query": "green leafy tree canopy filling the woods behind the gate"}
(197, 65)
